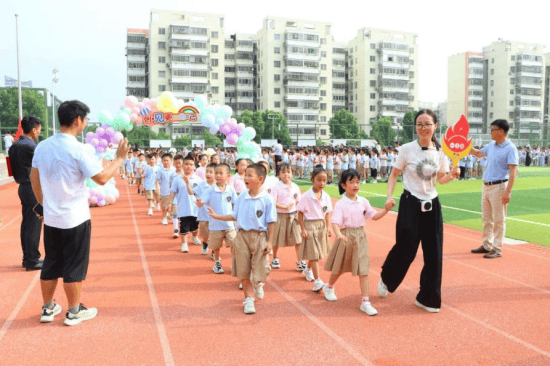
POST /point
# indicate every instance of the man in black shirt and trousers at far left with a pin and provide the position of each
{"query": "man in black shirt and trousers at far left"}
(21, 154)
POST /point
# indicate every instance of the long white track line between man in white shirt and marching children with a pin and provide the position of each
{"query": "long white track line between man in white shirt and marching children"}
(164, 342)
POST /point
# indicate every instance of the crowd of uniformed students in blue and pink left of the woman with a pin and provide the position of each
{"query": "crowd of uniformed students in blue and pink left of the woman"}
(257, 214)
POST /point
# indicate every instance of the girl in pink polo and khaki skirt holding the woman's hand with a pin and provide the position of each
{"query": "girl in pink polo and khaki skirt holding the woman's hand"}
(350, 252)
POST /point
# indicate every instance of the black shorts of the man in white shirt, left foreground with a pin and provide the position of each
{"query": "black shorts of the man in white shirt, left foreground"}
(67, 253)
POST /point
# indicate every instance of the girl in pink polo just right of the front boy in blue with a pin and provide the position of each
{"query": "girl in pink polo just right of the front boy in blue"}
(287, 232)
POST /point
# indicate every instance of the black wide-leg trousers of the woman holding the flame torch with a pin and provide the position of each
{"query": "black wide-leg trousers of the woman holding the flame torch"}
(414, 226)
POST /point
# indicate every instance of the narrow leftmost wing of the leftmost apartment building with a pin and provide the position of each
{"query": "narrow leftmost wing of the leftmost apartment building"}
(137, 57)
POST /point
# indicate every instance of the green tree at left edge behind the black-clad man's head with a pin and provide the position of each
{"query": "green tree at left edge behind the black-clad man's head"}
(34, 104)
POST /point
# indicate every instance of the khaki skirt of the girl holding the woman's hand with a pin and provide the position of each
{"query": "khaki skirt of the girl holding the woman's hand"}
(351, 256)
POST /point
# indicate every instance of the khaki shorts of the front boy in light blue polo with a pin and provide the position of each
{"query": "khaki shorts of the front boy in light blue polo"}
(250, 256)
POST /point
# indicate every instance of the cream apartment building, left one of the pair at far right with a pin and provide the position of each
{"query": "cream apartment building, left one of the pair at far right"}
(466, 89)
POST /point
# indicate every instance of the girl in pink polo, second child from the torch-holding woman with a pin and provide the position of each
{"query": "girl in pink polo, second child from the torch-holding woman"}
(314, 217)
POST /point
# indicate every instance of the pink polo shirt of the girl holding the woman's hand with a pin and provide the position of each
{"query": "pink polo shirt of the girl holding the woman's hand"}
(348, 213)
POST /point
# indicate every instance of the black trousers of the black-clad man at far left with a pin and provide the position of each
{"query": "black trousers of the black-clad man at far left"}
(31, 226)
